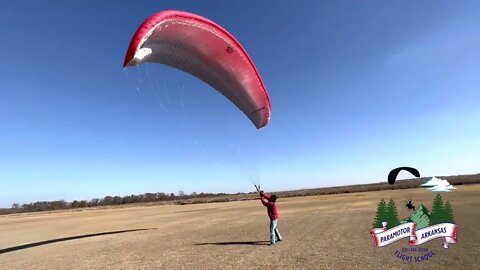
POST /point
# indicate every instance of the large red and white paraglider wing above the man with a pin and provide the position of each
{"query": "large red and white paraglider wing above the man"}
(204, 49)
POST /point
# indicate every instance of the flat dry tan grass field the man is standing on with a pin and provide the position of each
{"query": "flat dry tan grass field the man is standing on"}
(320, 232)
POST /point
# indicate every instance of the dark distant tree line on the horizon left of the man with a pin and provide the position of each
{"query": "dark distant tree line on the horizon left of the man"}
(106, 201)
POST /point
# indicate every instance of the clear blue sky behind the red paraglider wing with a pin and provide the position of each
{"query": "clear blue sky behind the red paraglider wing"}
(357, 88)
